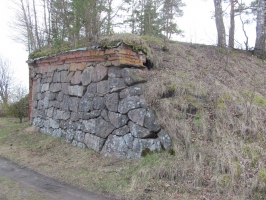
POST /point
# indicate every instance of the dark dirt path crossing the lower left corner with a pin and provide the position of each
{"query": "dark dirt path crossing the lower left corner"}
(51, 188)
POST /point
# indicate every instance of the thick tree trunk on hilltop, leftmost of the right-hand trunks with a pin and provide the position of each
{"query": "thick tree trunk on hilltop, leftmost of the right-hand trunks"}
(219, 23)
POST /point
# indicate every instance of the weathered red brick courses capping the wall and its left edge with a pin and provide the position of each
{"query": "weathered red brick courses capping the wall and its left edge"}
(123, 54)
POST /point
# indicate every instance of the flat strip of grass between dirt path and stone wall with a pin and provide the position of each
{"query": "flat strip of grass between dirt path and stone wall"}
(130, 179)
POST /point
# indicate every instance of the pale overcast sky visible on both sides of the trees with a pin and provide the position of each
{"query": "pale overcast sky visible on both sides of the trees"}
(197, 23)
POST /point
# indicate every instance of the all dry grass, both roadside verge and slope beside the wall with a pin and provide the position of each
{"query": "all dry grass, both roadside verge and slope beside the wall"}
(212, 103)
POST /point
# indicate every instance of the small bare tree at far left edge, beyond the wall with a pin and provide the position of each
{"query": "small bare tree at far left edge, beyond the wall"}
(5, 80)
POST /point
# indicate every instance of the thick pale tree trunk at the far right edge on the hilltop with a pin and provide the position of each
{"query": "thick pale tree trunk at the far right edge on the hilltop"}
(260, 44)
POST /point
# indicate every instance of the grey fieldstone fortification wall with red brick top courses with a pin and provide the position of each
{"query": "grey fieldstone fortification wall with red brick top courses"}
(94, 98)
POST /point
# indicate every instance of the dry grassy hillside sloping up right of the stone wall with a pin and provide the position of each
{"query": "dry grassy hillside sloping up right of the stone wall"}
(213, 104)
